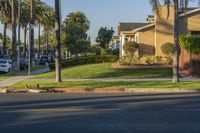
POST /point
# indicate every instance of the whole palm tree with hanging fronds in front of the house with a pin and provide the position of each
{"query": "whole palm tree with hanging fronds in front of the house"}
(178, 4)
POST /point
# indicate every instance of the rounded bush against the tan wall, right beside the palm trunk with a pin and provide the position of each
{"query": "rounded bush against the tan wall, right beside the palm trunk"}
(167, 48)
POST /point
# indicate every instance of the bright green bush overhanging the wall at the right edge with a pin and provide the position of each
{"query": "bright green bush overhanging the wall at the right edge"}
(190, 43)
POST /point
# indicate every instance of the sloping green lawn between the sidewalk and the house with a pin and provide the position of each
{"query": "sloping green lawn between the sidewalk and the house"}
(106, 71)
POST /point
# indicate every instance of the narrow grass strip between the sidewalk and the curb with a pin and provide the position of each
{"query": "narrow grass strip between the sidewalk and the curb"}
(110, 84)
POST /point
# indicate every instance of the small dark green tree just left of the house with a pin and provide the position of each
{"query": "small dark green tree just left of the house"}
(104, 37)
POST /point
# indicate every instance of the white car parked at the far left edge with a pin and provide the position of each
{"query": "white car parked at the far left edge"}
(5, 65)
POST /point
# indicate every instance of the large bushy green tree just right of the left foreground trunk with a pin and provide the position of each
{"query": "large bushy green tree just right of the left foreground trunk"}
(76, 26)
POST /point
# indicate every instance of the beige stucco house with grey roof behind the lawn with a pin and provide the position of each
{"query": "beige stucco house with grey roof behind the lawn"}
(158, 30)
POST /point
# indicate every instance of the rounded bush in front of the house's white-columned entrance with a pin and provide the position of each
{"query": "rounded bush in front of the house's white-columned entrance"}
(131, 47)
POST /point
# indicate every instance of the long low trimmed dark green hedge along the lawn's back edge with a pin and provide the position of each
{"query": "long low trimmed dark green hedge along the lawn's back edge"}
(86, 60)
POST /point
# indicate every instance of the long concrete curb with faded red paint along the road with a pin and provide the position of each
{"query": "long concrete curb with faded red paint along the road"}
(104, 90)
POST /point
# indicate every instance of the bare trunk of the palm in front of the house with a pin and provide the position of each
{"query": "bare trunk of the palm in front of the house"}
(176, 43)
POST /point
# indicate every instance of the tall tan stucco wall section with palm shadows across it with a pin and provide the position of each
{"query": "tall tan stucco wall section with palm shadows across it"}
(164, 28)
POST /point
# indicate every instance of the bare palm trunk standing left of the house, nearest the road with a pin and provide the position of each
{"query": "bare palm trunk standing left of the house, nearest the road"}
(58, 47)
